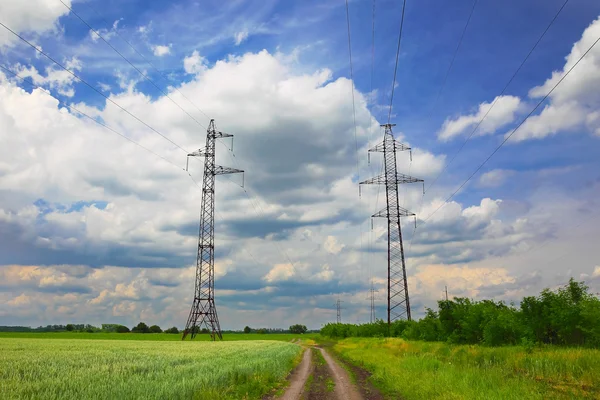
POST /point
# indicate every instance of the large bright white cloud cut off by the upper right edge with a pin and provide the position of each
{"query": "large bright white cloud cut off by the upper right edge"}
(574, 105)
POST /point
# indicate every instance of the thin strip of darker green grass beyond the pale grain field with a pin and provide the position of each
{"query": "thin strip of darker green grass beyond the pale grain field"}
(155, 336)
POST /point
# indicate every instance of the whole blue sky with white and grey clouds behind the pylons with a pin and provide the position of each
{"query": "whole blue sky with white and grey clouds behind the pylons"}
(99, 219)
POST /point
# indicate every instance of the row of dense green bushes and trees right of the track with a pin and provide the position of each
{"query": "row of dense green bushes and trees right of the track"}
(569, 315)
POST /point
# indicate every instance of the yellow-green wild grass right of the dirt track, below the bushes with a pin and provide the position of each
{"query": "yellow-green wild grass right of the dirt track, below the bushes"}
(418, 370)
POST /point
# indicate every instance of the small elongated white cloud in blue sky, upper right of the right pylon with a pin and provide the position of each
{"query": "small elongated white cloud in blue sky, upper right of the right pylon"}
(503, 112)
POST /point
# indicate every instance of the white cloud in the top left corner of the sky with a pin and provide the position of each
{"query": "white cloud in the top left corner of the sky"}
(33, 16)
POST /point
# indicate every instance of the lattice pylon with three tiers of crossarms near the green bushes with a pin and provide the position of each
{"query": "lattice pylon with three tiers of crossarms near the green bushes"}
(397, 290)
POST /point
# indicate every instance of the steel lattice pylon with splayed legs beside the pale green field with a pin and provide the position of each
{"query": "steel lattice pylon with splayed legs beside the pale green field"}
(203, 311)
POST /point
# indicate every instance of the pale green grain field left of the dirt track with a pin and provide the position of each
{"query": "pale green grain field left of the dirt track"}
(110, 369)
